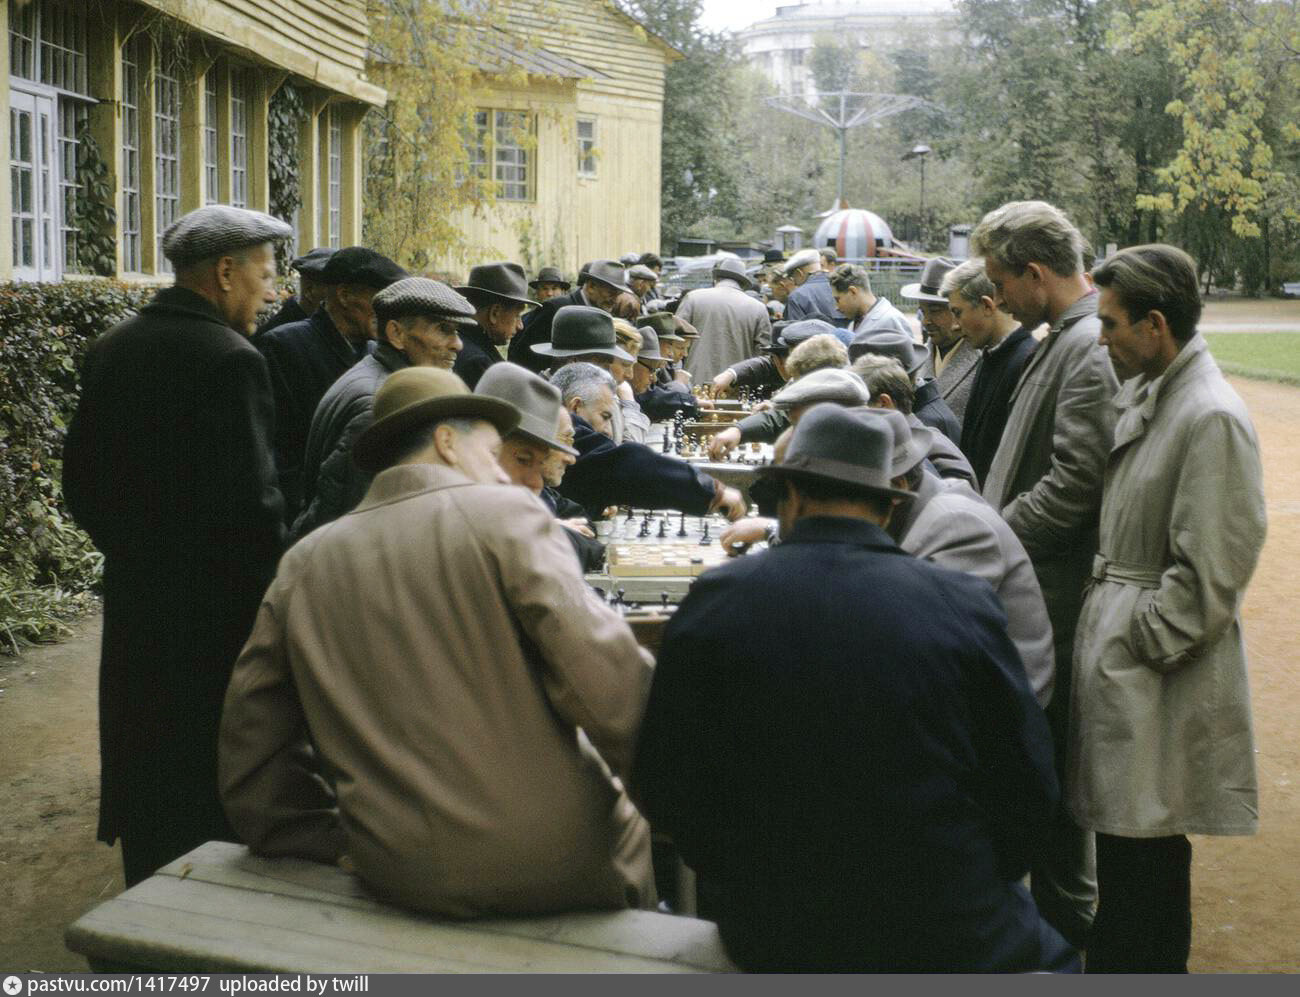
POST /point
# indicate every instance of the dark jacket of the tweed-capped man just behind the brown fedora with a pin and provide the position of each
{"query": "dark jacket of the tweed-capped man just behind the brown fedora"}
(333, 484)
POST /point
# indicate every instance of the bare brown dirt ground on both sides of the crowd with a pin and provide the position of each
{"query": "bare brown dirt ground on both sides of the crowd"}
(1246, 891)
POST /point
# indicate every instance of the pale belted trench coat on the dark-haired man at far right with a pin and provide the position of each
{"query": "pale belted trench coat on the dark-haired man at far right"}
(1160, 734)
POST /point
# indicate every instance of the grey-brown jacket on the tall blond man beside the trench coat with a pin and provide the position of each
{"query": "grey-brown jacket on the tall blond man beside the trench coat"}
(1046, 476)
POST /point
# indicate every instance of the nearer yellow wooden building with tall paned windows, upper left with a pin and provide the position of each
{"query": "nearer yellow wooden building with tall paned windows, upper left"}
(176, 96)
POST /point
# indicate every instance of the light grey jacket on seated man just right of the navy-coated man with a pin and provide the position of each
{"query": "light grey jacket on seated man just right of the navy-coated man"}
(954, 527)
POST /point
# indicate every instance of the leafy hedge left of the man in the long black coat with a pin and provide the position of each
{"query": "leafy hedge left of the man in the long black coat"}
(49, 569)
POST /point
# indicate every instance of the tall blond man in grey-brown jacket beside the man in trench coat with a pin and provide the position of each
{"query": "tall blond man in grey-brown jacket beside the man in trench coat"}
(1047, 476)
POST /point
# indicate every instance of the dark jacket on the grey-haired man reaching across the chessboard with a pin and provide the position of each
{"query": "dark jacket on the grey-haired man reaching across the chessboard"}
(631, 475)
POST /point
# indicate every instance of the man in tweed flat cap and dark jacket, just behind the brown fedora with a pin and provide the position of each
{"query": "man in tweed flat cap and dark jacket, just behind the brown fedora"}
(421, 326)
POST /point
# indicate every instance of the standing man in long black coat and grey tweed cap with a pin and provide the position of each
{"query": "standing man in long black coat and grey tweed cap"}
(168, 467)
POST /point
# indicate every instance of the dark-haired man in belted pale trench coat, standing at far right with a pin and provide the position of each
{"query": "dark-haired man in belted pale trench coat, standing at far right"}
(1162, 740)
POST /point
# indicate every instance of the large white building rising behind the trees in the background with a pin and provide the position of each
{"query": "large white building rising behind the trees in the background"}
(782, 46)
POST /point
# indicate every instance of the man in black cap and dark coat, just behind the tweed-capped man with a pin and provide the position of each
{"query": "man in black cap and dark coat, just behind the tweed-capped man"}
(307, 357)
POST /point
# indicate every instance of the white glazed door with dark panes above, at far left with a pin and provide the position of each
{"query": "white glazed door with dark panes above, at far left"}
(49, 103)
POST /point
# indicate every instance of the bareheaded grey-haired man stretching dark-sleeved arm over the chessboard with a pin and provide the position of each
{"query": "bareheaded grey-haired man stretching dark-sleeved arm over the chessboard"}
(610, 474)
